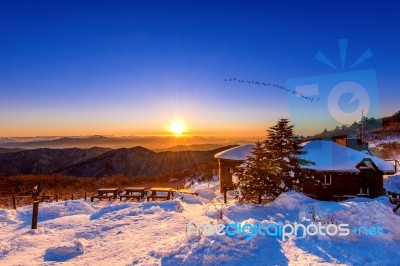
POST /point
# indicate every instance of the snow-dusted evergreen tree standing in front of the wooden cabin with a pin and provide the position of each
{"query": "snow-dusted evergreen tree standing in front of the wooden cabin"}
(274, 166)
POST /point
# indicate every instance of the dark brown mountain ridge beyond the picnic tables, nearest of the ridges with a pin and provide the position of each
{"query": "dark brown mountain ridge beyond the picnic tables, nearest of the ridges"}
(102, 162)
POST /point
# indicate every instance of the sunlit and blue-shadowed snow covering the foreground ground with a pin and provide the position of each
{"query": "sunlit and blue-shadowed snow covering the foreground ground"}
(155, 233)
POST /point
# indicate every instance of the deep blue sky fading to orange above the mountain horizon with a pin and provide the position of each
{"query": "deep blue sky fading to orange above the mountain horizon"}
(72, 68)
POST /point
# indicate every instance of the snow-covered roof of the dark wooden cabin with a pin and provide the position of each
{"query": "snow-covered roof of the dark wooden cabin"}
(327, 156)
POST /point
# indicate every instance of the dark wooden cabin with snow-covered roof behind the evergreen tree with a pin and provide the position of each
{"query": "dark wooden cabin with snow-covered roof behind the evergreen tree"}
(343, 172)
